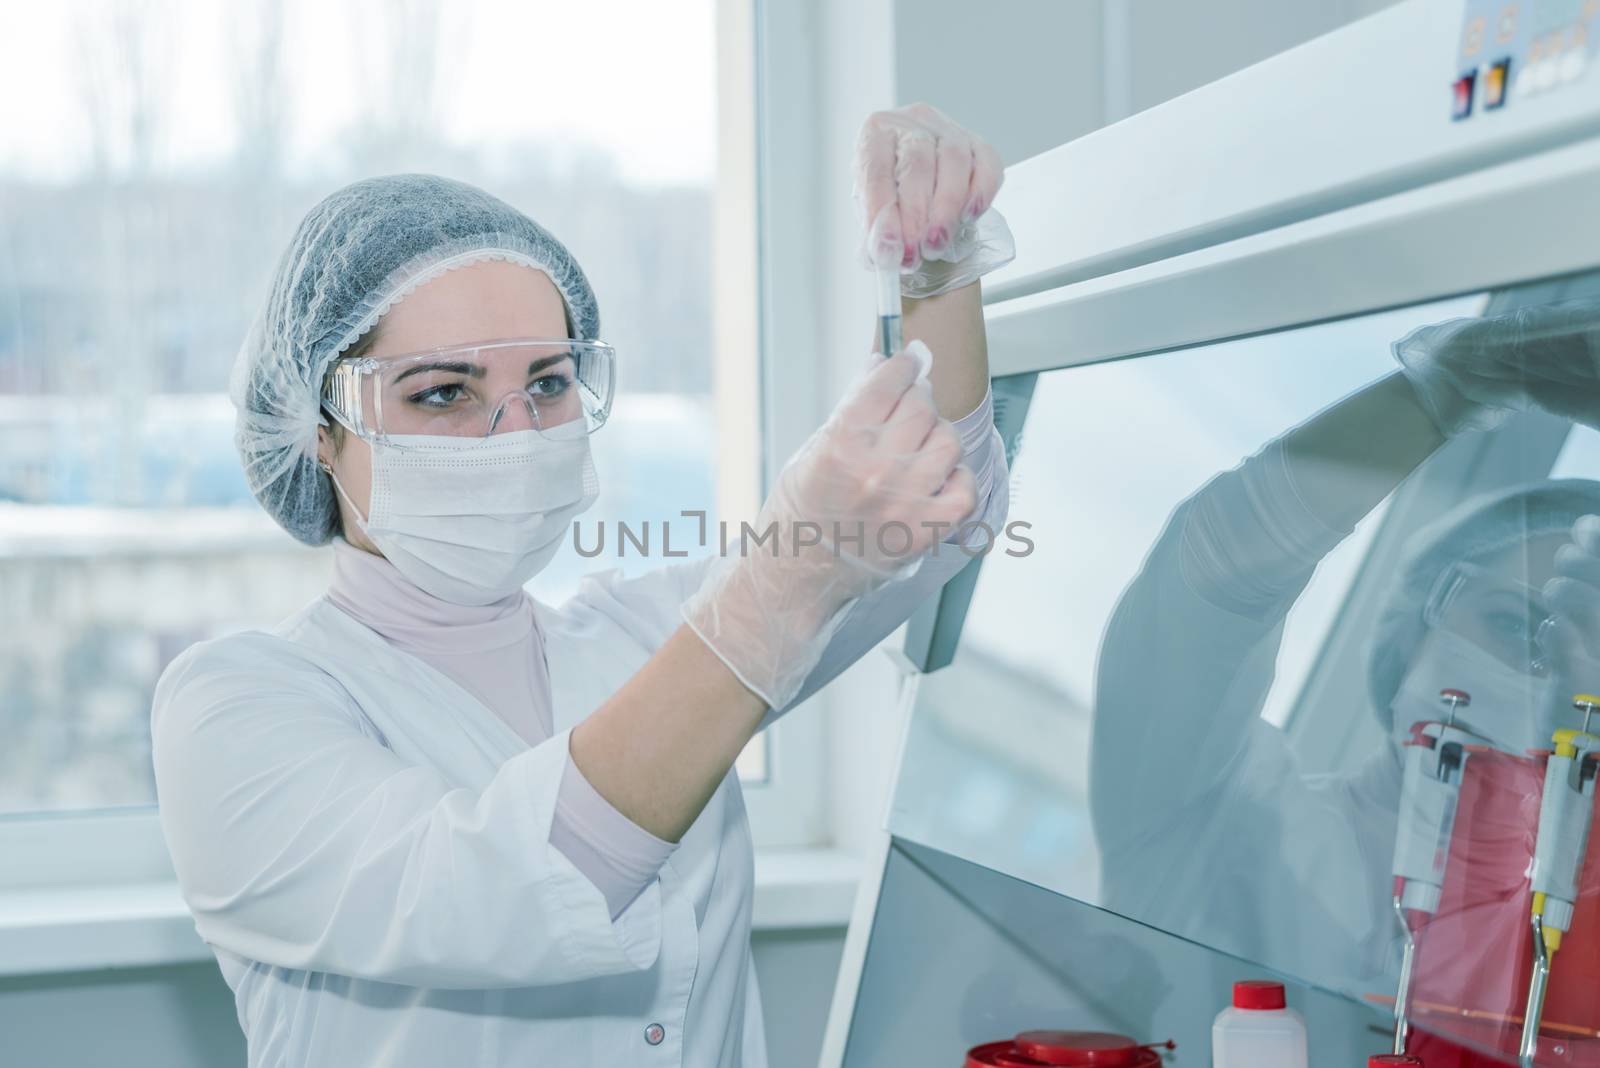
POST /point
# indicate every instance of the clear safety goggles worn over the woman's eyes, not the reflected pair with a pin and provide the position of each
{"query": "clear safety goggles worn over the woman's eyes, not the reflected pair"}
(474, 391)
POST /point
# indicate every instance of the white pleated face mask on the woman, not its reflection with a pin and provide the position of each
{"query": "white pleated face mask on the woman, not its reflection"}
(473, 520)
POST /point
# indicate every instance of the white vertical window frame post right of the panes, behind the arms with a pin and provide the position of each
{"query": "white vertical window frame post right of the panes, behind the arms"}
(764, 322)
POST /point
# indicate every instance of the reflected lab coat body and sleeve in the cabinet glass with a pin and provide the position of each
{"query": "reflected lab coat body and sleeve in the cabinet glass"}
(1206, 823)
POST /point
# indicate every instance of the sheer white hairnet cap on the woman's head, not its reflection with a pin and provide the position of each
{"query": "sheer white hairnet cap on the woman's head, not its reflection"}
(353, 257)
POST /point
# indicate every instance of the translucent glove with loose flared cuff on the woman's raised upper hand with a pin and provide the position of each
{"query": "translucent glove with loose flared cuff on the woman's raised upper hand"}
(924, 196)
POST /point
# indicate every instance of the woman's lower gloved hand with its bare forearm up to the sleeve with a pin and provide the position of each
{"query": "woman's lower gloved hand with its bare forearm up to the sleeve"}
(769, 610)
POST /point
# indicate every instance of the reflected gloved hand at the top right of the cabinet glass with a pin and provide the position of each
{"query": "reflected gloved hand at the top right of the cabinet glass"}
(1473, 373)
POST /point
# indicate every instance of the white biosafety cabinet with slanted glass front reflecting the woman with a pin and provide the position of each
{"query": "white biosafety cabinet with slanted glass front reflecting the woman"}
(1289, 671)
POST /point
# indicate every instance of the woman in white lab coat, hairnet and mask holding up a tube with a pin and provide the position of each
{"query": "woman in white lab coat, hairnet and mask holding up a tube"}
(431, 821)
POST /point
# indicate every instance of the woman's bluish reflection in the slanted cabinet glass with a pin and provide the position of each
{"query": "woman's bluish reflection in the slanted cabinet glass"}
(1207, 824)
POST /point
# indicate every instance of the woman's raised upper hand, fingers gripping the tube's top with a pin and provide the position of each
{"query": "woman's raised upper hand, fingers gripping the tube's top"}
(921, 183)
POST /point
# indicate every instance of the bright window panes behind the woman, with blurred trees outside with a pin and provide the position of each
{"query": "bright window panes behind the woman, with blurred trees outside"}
(148, 188)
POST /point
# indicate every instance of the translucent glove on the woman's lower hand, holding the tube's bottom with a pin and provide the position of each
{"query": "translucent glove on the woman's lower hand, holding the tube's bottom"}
(857, 508)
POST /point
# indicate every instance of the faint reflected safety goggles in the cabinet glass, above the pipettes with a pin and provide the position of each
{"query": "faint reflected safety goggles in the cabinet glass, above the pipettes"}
(1503, 618)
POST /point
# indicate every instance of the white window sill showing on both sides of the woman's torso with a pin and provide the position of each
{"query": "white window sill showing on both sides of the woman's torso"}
(140, 925)
